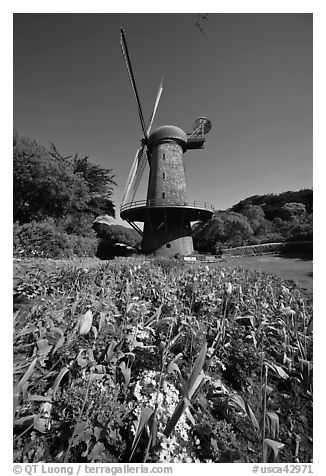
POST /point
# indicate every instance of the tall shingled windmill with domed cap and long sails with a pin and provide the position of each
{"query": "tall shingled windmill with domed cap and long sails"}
(166, 213)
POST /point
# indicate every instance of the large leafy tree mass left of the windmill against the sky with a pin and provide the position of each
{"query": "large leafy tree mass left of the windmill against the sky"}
(72, 191)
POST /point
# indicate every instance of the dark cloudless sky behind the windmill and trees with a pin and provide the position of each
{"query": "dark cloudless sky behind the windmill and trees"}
(251, 76)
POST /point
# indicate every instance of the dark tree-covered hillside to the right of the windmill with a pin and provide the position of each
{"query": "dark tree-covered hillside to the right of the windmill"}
(259, 219)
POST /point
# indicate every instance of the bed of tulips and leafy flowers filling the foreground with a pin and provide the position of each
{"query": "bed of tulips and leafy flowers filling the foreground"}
(160, 362)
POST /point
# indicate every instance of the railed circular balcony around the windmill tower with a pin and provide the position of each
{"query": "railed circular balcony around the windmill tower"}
(192, 210)
